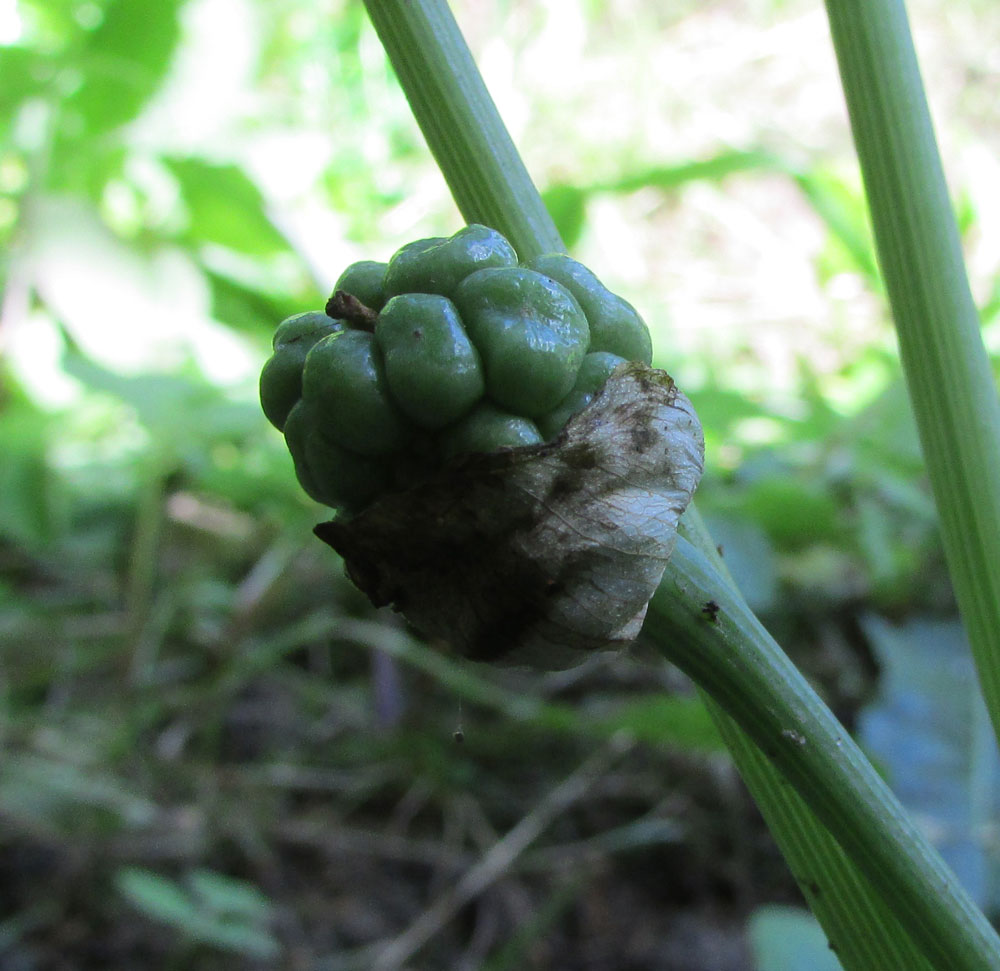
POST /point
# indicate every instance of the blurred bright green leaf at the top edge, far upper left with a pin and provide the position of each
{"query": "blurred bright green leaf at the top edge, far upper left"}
(123, 62)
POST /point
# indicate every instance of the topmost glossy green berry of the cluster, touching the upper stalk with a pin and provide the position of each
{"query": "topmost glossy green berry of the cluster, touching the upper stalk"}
(439, 264)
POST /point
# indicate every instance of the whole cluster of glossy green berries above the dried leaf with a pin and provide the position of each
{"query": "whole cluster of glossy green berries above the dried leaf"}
(451, 347)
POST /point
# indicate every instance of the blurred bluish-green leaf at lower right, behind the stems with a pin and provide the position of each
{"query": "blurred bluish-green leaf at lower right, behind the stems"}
(929, 729)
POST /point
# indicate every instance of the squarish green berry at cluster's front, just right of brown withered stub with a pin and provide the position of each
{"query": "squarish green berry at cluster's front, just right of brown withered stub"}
(432, 370)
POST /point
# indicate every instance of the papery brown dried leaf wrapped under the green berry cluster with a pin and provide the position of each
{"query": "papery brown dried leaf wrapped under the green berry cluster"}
(537, 554)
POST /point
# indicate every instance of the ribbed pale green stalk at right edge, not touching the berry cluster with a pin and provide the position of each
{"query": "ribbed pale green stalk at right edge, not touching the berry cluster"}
(948, 373)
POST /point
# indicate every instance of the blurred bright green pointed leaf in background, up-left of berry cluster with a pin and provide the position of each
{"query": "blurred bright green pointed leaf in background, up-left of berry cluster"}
(225, 207)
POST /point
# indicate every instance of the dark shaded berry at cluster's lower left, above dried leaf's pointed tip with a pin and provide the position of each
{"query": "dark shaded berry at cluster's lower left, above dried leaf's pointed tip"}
(328, 473)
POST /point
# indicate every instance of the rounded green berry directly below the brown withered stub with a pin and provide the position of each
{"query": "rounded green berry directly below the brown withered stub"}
(344, 382)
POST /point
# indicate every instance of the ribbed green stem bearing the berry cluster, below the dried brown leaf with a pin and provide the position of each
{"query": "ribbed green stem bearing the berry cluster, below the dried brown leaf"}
(737, 661)
